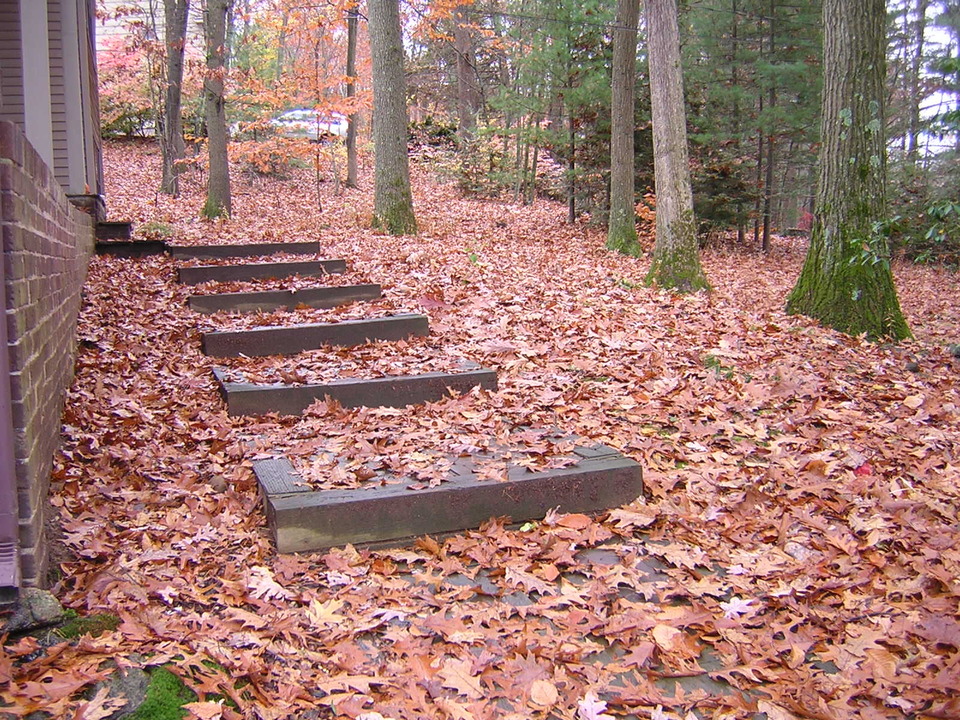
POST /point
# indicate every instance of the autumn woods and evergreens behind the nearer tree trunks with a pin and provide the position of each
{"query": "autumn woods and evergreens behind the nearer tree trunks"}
(521, 89)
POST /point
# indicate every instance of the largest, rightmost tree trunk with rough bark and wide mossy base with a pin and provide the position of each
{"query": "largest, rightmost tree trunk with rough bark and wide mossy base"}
(846, 281)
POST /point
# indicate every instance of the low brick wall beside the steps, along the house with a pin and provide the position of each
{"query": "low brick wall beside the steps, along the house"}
(47, 244)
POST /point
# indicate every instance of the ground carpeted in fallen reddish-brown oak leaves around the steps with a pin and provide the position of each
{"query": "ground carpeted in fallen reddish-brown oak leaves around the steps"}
(797, 552)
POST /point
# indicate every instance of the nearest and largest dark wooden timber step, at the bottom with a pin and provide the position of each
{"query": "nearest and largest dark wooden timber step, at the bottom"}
(303, 520)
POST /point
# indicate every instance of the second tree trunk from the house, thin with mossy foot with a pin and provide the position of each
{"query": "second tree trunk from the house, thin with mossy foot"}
(218, 175)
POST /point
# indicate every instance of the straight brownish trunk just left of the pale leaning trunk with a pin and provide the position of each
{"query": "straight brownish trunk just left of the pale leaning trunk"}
(622, 226)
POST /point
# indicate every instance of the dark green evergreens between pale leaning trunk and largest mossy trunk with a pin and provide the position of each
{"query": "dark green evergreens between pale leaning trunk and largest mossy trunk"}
(754, 83)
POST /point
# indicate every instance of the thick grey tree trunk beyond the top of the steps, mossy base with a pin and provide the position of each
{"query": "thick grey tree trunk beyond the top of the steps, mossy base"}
(392, 199)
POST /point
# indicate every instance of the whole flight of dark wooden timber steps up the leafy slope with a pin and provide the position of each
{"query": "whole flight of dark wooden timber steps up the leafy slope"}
(389, 510)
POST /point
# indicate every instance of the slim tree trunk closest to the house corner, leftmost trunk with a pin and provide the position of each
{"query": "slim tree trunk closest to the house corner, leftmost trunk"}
(172, 147)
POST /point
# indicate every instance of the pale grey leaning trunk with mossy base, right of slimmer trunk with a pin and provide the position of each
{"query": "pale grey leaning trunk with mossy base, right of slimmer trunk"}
(676, 259)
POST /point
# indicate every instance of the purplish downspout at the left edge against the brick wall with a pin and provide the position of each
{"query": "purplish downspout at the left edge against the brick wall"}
(9, 517)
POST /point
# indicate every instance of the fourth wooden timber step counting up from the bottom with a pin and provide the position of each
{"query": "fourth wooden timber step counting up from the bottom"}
(321, 297)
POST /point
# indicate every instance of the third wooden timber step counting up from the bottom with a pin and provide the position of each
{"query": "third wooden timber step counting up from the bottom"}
(291, 339)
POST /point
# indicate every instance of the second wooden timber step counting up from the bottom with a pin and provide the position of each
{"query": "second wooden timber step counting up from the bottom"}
(392, 391)
